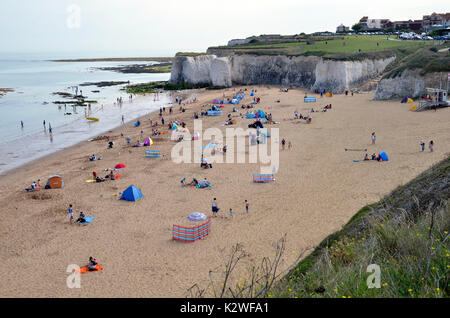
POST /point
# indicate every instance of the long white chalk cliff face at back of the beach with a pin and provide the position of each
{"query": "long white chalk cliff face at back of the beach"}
(310, 72)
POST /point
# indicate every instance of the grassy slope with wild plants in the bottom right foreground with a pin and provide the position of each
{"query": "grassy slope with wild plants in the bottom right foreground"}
(406, 234)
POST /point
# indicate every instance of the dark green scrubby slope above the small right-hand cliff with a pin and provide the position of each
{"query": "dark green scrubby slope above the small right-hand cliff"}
(428, 60)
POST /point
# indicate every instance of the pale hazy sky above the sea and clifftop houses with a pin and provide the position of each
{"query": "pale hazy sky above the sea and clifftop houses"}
(108, 28)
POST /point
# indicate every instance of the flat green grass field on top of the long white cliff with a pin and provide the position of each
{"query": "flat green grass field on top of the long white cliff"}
(355, 47)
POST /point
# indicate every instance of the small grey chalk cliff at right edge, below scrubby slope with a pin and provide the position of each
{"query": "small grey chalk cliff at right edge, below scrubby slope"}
(410, 83)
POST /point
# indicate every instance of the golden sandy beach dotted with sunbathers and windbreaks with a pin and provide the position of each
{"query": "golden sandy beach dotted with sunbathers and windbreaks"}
(318, 188)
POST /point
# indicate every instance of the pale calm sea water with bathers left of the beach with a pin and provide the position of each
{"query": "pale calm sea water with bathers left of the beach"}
(34, 80)
